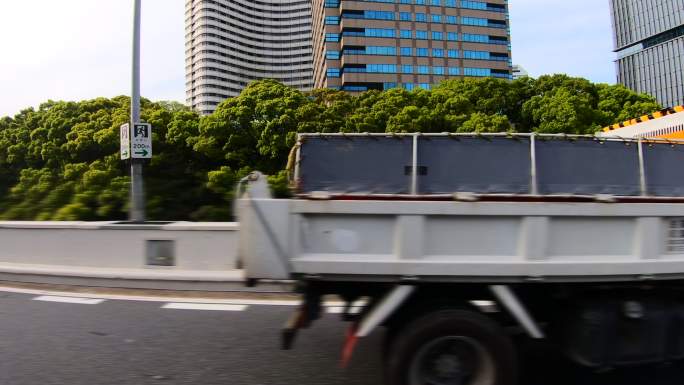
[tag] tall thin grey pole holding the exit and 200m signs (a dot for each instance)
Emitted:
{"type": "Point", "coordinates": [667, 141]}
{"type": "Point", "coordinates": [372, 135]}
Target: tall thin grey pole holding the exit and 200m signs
{"type": "Point", "coordinates": [137, 209]}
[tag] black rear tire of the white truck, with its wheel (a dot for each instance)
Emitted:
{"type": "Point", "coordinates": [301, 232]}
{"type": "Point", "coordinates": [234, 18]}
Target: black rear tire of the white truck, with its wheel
{"type": "Point", "coordinates": [455, 347]}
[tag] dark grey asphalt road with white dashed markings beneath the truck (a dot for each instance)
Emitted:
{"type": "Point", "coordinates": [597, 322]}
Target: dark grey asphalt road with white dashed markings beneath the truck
{"type": "Point", "coordinates": [51, 340]}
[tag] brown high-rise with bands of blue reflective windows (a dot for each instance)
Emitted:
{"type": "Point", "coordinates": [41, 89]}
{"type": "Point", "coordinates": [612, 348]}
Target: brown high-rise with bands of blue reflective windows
{"type": "Point", "coordinates": [380, 44]}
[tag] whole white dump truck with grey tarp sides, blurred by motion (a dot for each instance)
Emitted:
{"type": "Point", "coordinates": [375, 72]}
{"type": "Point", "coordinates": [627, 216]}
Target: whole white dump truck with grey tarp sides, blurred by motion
{"type": "Point", "coordinates": [456, 242]}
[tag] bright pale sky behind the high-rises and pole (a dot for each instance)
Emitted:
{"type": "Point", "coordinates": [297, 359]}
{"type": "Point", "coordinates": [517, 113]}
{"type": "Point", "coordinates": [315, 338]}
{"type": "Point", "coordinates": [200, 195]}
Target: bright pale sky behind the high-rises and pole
{"type": "Point", "coordinates": [80, 49]}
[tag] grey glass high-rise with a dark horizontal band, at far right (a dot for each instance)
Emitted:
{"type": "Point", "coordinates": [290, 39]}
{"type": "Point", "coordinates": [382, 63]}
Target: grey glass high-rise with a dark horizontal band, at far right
{"type": "Point", "coordinates": [649, 42]}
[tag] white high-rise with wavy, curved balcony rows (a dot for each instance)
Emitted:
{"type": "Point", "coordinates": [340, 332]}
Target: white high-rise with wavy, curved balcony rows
{"type": "Point", "coordinates": [230, 43]}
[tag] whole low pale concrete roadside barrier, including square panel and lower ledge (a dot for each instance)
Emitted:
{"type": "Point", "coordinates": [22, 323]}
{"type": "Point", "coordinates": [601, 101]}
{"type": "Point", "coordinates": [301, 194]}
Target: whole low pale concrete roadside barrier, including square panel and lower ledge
{"type": "Point", "coordinates": [179, 251]}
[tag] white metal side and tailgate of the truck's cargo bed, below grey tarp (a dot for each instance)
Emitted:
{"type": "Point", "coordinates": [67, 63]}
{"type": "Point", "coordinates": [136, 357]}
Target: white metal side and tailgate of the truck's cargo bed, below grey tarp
{"type": "Point", "coordinates": [462, 241]}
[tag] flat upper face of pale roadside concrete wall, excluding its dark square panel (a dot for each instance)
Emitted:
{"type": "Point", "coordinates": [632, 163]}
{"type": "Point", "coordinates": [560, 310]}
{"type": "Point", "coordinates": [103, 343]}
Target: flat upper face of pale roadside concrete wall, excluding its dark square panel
{"type": "Point", "coordinates": [107, 245]}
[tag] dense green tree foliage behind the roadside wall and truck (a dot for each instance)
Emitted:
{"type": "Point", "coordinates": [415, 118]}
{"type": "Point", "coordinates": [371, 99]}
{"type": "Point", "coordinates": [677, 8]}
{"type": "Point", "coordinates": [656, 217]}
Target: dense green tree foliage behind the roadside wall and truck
{"type": "Point", "coordinates": [61, 162]}
